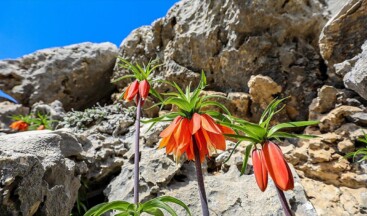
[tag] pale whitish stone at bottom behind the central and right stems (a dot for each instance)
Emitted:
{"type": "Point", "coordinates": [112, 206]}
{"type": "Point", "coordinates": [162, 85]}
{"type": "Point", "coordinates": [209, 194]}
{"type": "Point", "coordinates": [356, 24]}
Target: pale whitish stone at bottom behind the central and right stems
{"type": "Point", "coordinates": [231, 194]}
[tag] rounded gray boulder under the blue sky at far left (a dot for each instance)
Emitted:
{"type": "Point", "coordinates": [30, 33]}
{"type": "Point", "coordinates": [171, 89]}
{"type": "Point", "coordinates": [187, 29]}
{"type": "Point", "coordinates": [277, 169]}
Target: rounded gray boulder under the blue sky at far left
{"type": "Point", "coordinates": [77, 75]}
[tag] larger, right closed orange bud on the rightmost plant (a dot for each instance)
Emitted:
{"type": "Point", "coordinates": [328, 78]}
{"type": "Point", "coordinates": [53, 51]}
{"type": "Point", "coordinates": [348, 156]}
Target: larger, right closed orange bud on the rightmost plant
{"type": "Point", "coordinates": [277, 167]}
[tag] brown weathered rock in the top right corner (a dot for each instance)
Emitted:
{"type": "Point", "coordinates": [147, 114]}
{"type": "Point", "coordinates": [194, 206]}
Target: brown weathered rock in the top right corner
{"type": "Point", "coordinates": [344, 34]}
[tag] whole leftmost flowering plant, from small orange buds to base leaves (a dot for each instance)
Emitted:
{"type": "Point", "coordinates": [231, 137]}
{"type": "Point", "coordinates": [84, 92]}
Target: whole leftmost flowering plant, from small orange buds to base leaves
{"type": "Point", "coordinates": [138, 90]}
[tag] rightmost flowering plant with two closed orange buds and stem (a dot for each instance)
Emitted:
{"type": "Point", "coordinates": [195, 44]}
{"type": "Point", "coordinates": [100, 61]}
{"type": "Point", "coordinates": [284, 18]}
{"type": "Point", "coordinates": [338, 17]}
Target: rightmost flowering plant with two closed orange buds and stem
{"type": "Point", "coordinates": [267, 157]}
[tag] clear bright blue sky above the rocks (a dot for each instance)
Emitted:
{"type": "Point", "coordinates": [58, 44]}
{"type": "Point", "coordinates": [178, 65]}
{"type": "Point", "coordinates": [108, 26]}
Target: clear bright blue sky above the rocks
{"type": "Point", "coordinates": [30, 25]}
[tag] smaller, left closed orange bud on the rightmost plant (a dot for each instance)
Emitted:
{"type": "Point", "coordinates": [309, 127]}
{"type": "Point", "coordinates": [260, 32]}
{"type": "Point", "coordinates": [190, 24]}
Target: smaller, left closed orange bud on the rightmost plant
{"type": "Point", "coordinates": [261, 173]}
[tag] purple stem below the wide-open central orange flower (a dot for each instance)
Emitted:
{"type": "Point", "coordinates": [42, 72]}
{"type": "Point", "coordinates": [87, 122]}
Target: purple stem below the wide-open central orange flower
{"type": "Point", "coordinates": [199, 176]}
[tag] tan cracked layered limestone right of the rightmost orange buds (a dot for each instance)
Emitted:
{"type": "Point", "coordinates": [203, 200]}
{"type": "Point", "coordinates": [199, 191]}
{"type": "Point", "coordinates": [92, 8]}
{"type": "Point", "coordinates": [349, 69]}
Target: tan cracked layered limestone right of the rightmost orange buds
{"type": "Point", "coordinates": [322, 158]}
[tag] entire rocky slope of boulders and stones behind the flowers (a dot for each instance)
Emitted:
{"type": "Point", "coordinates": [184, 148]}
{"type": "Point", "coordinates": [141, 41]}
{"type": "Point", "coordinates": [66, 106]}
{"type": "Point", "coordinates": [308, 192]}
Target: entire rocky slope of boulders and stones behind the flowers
{"type": "Point", "coordinates": [313, 51]}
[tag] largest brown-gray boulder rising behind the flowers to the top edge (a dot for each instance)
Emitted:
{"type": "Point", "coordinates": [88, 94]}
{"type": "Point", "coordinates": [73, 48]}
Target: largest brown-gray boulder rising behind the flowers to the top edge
{"type": "Point", "coordinates": [231, 40]}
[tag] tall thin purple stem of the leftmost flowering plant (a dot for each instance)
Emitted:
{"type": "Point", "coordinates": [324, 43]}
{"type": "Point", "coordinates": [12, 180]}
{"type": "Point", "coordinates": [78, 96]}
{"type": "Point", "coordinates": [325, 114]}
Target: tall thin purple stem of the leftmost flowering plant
{"type": "Point", "coordinates": [137, 155]}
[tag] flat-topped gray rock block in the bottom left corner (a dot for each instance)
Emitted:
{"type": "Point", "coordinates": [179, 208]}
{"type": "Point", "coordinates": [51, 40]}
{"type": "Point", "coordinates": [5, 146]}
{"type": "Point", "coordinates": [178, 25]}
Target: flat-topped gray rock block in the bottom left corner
{"type": "Point", "coordinates": [37, 176]}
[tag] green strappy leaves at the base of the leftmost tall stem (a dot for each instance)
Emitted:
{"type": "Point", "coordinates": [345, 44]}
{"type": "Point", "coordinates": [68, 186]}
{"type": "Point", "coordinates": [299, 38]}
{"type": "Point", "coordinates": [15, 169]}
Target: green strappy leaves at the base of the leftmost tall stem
{"type": "Point", "coordinates": [151, 207]}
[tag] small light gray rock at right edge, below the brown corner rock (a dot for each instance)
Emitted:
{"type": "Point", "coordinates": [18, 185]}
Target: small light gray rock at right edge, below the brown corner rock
{"type": "Point", "coordinates": [356, 78]}
